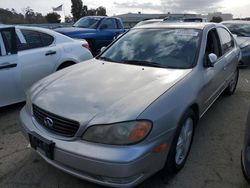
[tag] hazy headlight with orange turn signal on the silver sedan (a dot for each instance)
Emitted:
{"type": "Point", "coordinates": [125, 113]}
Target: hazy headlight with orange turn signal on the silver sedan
{"type": "Point", "coordinates": [124, 133]}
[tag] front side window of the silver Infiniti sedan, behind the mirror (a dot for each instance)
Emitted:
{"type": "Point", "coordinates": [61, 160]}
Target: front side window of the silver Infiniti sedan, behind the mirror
{"type": "Point", "coordinates": [213, 44]}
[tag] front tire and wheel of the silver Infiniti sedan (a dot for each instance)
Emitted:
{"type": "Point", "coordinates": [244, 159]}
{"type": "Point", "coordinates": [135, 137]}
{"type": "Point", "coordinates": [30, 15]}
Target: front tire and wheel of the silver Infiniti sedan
{"type": "Point", "coordinates": [181, 144]}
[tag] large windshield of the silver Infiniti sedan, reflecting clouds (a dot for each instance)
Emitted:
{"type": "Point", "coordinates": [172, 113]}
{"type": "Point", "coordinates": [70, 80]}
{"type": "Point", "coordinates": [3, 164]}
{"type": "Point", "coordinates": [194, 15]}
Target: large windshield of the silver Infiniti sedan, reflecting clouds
{"type": "Point", "coordinates": [166, 48]}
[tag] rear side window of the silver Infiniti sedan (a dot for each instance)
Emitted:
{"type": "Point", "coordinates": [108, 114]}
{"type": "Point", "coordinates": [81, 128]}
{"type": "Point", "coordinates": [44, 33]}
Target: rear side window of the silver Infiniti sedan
{"type": "Point", "coordinates": [227, 41]}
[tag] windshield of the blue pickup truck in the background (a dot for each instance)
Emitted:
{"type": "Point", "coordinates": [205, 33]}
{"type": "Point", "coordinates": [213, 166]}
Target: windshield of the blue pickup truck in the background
{"type": "Point", "coordinates": [87, 22]}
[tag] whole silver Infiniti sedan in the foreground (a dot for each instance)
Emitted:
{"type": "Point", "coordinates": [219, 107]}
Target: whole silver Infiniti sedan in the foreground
{"type": "Point", "coordinates": [135, 109]}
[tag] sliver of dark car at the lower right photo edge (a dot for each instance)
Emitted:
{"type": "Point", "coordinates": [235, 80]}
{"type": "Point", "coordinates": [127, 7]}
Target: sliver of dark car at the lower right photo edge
{"type": "Point", "coordinates": [245, 155]}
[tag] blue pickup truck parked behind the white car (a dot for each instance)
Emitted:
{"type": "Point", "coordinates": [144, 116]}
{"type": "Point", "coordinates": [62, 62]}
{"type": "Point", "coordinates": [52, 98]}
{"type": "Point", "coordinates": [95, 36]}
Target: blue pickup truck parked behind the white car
{"type": "Point", "coordinates": [99, 31]}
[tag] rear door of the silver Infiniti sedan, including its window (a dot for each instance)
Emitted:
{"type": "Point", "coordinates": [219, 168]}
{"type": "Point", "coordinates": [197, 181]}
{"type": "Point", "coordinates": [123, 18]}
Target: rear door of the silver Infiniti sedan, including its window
{"type": "Point", "coordinates": [230, 53]}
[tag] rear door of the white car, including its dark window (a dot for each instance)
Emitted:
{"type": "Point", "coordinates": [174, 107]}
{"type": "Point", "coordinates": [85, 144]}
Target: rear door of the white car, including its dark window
{"type": "Point", "coordinates": [38, 55]}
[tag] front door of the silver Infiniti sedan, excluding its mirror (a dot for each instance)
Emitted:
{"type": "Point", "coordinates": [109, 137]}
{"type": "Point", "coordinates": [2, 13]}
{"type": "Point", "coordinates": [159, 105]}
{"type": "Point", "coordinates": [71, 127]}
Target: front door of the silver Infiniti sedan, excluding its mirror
{"type": "Point", "coordinates": [213, 76]}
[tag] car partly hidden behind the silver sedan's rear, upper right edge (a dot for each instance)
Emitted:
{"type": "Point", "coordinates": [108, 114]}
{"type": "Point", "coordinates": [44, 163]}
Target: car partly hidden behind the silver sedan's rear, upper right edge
{"type": "Point", "coordinates": [242, 30]}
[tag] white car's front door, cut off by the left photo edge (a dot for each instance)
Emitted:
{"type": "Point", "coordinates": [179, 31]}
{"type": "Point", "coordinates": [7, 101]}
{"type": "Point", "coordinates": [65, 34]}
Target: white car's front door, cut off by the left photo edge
{"type": "Point", "coordinates": [10, 90]}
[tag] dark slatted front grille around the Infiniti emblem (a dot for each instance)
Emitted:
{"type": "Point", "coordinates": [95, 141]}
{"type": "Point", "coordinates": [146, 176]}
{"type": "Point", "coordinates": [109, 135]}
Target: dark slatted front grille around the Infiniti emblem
{"type": "Point", "coordinates": [60, 126]}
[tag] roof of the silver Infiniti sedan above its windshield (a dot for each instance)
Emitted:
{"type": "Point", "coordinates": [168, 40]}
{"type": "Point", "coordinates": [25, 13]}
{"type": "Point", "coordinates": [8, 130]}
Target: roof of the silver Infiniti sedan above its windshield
{"type": "Point", "coordinates": [184, 25]}
